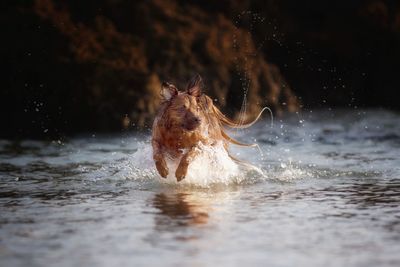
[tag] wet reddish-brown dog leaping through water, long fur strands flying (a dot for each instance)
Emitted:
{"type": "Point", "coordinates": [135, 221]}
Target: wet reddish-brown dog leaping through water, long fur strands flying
{"type": "Point", "coordinates": [184, 120]}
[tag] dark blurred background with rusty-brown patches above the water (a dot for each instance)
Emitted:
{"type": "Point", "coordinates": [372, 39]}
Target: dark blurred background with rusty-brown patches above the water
{"type": "Point", "coordinates": [71, 67]}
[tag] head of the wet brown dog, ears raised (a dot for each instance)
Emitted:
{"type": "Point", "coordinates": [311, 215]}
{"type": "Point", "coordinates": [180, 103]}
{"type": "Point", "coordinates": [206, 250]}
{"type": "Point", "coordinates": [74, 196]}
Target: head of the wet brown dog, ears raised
{"type": "Point", "coordinates": [184, 110]}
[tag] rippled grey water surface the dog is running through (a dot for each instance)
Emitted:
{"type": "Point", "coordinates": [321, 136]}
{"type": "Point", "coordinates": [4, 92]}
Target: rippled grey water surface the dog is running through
{"type": "Point", "coordinates": [328, 194]}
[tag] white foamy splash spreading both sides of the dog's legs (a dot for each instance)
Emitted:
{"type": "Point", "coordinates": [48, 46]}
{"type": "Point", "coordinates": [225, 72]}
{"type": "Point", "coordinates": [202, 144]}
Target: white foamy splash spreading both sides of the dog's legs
{"type": "Point", "coordinates": [212, 166]}
